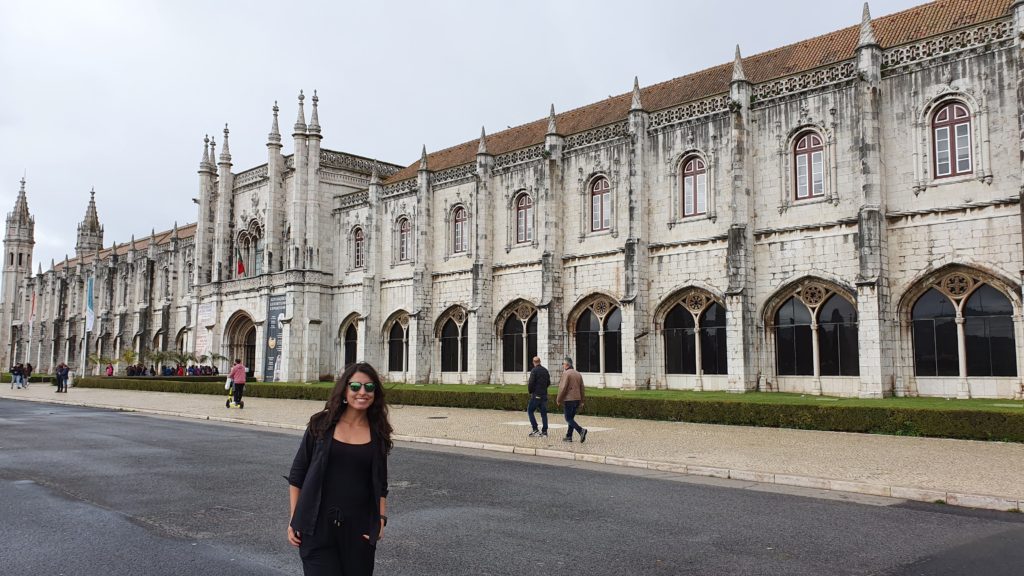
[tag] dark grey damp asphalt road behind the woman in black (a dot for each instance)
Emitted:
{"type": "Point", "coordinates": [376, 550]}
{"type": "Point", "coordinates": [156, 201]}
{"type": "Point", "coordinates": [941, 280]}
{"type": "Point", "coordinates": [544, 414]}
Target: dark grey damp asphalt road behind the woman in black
{"type": "Point", "coordinates": [92, 492]}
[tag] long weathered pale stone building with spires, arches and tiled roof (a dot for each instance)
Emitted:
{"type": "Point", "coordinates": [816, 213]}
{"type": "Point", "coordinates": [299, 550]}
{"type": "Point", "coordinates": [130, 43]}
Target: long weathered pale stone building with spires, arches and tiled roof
{"type": "Point", "coordinates": [776, 225]}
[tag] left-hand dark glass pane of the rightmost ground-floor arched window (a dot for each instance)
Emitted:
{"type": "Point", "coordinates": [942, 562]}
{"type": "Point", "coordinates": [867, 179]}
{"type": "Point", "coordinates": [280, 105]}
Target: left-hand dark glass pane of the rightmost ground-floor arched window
{"type": "Point", "coordinates": [935, 349]}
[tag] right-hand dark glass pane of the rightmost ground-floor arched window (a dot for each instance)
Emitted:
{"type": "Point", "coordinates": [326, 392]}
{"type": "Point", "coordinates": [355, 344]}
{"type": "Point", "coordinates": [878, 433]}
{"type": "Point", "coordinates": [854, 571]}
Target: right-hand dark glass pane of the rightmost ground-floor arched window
{"type": "Point", "coordinates": [989, 328]}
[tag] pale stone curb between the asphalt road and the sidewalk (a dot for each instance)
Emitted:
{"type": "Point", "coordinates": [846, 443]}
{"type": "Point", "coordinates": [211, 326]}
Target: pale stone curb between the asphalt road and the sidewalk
{"type": "Point", "coordinates": [960, 500]}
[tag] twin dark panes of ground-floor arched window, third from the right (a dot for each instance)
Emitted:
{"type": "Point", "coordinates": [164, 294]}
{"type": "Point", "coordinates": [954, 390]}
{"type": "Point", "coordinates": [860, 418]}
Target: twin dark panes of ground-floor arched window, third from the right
{"type": "Point", "coordinates": [681, 330]}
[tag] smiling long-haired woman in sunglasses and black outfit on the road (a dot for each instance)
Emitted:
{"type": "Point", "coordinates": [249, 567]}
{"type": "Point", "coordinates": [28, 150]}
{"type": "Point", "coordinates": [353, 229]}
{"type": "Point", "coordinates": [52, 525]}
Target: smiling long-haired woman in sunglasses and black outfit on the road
{"type": "Point", "coordinates": [338, 482]}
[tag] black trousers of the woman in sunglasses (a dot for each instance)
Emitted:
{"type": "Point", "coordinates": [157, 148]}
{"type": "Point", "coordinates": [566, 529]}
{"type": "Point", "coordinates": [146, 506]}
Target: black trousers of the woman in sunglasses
{"type": "Point", "coordinates": [338, 549]}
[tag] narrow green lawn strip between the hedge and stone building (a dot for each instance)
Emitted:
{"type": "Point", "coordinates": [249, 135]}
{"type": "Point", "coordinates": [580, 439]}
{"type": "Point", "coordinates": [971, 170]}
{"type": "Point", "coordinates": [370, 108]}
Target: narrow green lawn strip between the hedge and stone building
{"type": "Point", "coordinates": [1001, 405]}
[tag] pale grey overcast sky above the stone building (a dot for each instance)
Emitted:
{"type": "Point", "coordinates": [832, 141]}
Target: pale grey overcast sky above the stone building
{"type": "Point", "coordinates": [118, 95]}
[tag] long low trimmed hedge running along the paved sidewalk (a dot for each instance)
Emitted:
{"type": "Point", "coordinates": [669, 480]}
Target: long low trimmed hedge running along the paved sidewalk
{"type": "Point", "coordinates": [967, 425]}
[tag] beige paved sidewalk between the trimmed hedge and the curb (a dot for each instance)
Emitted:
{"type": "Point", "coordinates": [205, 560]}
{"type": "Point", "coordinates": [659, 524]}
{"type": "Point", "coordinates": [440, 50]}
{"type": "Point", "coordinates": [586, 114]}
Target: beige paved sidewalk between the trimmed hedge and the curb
{"type": "Point", "coordinates": [987, 475]}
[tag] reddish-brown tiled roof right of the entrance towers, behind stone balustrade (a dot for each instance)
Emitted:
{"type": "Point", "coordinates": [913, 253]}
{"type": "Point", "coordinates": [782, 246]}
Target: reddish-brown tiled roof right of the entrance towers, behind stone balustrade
{"type": "Point", "coordinates": [910, 26]}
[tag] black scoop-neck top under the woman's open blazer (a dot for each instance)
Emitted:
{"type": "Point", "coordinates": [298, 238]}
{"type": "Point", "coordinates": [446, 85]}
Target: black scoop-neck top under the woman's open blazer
{"type": "Point", "coordinates": [347, 485]}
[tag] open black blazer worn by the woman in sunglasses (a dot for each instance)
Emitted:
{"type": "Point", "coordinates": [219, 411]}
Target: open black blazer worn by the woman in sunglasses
{"type": "Point", "coordinates": [309, 471]}
